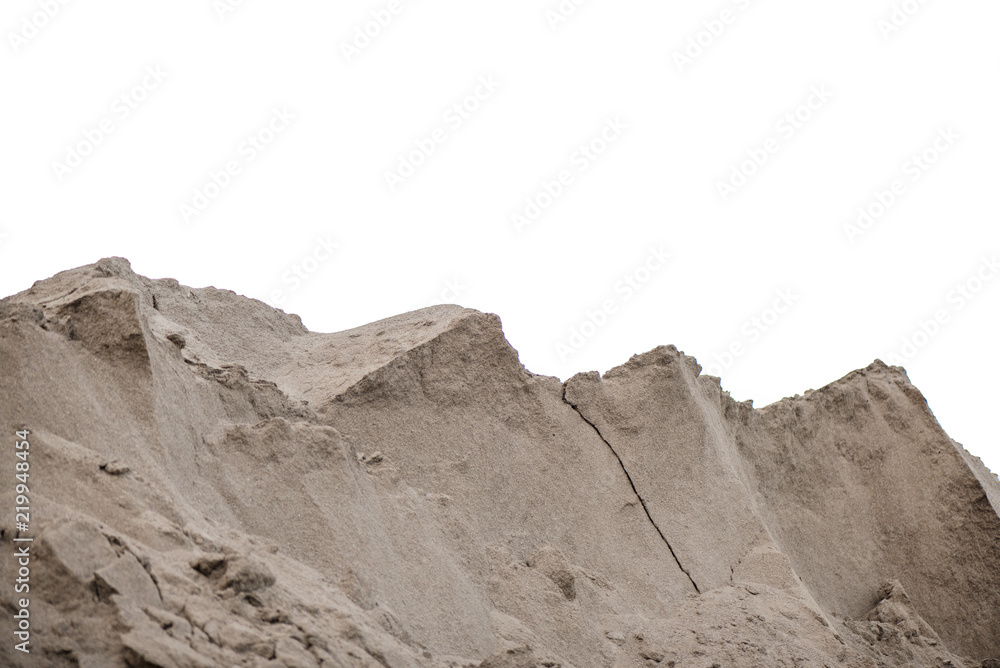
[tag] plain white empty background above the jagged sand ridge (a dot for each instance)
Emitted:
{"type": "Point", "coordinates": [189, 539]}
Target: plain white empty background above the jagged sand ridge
{"type": "Point", "coordinates": [446, 232]}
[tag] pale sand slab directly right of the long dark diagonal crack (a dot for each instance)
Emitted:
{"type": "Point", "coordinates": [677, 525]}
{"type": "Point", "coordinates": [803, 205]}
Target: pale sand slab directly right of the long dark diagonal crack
{"type": "Point", "coordinates": [674, 444]}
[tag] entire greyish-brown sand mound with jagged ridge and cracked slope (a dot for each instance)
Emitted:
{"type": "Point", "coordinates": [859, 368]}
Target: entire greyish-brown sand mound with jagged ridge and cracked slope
{"type": "Point", "coordinates": [214, 485]}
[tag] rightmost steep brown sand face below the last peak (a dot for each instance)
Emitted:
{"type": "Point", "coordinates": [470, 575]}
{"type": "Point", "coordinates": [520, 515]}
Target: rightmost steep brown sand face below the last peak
{"type": "Point", "coordinates": [864, 487]}
